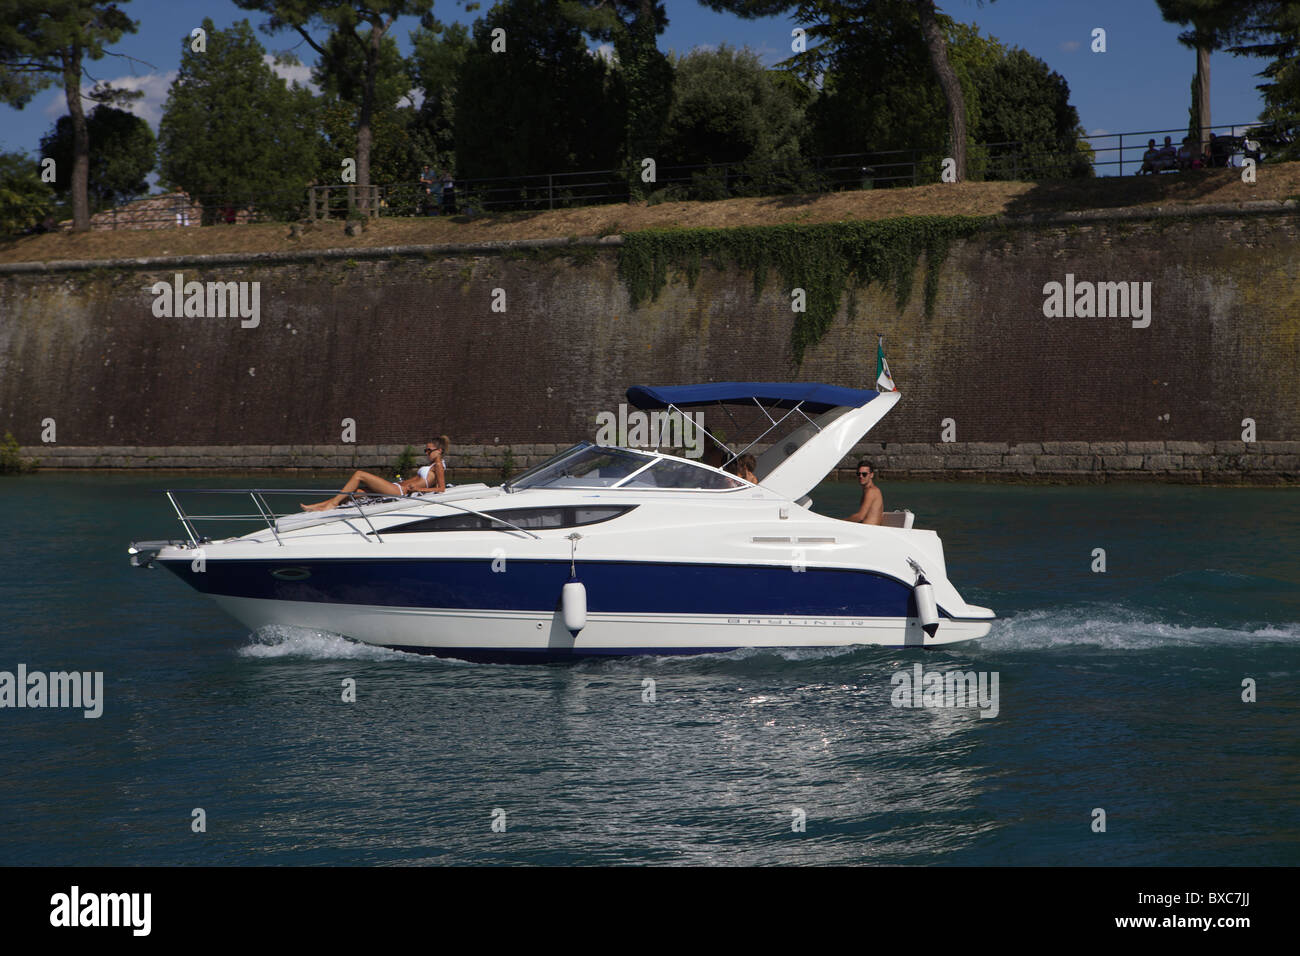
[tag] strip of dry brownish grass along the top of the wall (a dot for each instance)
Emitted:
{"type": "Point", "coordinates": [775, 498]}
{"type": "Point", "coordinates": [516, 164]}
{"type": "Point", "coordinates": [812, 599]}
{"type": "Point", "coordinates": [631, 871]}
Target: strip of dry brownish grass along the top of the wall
{"type": "Point", "coordinates": [937, 200]}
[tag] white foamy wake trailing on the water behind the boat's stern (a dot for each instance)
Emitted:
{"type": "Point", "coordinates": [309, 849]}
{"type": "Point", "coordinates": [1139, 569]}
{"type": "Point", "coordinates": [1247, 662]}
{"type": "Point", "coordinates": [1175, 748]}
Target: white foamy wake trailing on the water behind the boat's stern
{"type": "Point", "coordinates": [1121, 630]}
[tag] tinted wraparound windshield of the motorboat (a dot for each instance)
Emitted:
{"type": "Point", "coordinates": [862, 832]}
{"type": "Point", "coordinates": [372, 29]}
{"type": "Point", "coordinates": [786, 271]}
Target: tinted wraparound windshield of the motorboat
{"type": "Point", "coordinates": [596, 466]}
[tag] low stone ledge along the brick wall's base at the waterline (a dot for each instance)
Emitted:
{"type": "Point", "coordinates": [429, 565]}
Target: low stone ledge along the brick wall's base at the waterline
{"type": "Point", "coordinates": [1264, 462]}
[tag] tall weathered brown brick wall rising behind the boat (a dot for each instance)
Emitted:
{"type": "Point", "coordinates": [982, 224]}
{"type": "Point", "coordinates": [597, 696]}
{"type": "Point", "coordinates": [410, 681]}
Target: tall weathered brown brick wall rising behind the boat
{"type": "Point", "coordinates": [409, 347]}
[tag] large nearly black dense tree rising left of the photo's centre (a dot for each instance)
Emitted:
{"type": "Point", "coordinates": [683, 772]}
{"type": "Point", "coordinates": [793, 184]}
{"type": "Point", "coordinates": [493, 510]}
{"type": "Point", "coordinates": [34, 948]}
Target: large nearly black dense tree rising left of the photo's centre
{"type": "Point", "coordinates": [543, 105]}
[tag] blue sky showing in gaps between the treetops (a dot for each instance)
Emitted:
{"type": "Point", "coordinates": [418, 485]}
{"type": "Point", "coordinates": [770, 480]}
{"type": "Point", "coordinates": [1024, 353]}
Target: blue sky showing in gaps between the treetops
{"type": "Point", "coordinates": [1142, 83]}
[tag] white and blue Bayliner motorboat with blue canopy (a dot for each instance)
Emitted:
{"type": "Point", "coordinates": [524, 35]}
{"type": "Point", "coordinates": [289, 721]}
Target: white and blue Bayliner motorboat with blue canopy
{"type": "Point", "coordinates": [604, 550]}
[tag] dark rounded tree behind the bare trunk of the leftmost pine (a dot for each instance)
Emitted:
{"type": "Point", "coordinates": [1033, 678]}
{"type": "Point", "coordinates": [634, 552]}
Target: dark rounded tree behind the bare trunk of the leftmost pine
{"type": "Point", "coordinates": [123, 154]}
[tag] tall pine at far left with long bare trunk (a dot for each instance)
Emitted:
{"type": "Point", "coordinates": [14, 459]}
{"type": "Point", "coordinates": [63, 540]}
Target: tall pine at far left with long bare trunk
{"type": "Point", "coordinates": [44, 42]}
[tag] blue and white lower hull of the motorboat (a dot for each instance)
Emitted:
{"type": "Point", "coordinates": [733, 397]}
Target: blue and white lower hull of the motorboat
{"type": "Point", "coordinates": [465, 609]}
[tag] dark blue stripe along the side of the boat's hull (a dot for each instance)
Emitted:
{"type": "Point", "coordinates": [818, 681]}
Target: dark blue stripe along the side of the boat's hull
{"type": "Point", "coordinates": [535, 586]}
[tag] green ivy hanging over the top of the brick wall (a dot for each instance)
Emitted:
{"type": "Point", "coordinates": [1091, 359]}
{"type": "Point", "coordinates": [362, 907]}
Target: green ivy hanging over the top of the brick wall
{"type": "Point", "coordinates": [824, 259]}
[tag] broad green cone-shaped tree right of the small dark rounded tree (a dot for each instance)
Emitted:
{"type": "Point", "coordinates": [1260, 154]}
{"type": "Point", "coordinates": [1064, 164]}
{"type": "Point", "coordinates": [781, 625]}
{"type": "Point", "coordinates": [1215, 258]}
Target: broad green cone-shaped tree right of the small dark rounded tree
{"type": "Point", "coordinates": [233, 132]}
